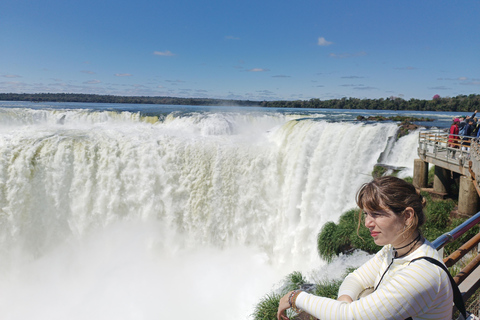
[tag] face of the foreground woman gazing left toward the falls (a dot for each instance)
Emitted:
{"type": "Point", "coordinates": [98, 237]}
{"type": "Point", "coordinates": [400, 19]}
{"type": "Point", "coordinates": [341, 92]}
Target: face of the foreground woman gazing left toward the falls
{"type": "Point", "coordinates": [385, 227]}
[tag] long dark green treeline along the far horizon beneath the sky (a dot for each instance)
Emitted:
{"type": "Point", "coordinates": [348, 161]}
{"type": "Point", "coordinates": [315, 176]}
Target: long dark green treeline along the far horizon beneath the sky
{"type": "Point", "coordinates": [460, 103]}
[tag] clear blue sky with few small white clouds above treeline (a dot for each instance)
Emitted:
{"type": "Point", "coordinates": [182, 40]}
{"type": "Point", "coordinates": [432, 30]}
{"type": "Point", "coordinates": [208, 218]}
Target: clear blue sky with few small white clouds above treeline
{"type": "Point", "coordinates": [256, 50]}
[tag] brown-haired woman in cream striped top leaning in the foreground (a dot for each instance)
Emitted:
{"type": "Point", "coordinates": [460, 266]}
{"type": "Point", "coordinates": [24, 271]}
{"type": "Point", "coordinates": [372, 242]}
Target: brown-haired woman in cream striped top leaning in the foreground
{"type": "Point", "coordinates": [393, 211]}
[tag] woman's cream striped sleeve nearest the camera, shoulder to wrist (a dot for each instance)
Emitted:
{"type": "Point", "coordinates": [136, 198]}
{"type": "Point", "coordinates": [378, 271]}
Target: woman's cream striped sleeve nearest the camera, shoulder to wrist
{"type": "Point", "coordinates": [417, 289]}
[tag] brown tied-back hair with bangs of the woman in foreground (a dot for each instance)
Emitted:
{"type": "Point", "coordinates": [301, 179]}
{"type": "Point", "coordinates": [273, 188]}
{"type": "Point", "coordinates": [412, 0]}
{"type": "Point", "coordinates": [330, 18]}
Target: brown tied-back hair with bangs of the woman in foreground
{"type": "Point", "coordinates": [394, 194]}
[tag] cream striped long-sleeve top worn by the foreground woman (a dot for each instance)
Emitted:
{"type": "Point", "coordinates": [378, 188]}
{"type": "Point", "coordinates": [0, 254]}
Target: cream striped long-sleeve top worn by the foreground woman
{"type": "Point", "coordinates": [420, 290]}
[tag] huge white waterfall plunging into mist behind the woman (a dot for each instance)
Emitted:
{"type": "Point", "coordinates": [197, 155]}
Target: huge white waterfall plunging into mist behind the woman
{"type": "Point", "coordinates": [111, 214]}
